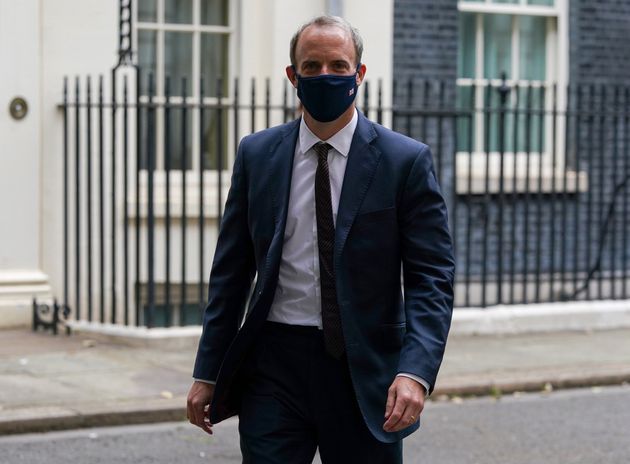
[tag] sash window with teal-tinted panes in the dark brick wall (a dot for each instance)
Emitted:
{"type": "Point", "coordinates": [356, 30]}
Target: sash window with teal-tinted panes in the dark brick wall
{"type": "Point", "coordinates": [515, 38]}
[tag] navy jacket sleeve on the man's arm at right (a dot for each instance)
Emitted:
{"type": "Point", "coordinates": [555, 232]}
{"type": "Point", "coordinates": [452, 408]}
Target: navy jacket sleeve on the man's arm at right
{"type": "Point", "coordinates": [428, 271]}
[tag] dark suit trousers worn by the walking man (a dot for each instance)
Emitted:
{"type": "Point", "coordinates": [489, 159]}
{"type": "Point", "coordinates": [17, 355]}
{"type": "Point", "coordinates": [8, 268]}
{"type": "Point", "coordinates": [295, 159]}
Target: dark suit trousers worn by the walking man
{"type": "Point", "coordinates": [298, 398]}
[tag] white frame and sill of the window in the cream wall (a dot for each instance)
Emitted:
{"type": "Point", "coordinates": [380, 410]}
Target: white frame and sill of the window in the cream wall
{"type": "Point", "coordinates": [213, 179]}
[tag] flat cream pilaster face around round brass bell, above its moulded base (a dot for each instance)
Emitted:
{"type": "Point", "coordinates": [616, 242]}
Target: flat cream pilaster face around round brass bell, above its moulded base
{"type": "Point", "coordinates": [20, 140]}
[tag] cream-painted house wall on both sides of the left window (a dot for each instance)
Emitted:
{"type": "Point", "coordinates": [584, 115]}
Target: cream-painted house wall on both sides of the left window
{"type": "Point", "coordinates": [45, 40]}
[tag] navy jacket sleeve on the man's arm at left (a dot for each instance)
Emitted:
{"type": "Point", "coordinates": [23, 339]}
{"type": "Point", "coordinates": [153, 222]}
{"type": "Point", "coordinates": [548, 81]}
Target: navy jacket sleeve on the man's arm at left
{"type": "Point", "coordinates": [231, 277]}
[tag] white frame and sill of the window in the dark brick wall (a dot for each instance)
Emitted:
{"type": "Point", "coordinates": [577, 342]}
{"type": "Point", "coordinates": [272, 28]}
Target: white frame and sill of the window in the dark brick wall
{"type": "Point", "coordinates": [556, 72]}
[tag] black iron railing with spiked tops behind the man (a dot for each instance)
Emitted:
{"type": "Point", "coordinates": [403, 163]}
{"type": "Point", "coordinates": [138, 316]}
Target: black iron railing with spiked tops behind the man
{"type": "Point", "coordinates": [536, 179]}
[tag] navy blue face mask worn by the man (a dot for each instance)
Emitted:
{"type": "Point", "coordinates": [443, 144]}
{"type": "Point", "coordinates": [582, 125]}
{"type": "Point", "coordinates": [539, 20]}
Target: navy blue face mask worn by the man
{"type": "Point", "coordinates": [327, 96]}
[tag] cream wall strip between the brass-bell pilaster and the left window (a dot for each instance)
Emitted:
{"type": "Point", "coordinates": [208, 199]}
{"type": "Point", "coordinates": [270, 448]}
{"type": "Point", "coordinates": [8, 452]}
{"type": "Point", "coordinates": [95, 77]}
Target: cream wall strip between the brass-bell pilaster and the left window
{"type": "Point", "coordinates": [79, 38]}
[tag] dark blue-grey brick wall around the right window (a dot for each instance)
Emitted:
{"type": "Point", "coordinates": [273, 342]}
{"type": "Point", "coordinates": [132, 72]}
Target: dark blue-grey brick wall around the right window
{"type": "Point", "coordinates": [564, 232]}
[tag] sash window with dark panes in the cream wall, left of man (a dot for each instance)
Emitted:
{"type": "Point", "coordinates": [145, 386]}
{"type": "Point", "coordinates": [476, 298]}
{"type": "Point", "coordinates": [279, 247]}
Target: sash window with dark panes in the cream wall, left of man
{"type": "Point", "coordinates": [185, 46]}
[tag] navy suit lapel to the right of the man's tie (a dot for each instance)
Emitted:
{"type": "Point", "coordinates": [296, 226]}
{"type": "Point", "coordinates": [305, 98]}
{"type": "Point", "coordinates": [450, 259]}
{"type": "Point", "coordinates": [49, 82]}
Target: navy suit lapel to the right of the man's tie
{"type": "Point", "coordinates": [362, 161]}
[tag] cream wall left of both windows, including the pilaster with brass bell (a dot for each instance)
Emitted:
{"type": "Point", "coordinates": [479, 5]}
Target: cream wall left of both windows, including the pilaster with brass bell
{"type": "Point", "coordinates": [41, 40]}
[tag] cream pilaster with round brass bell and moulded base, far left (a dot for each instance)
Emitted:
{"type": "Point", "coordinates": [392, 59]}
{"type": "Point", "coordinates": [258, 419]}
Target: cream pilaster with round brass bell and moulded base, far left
{"type": "Point", "coordinates": [21, 278]}
